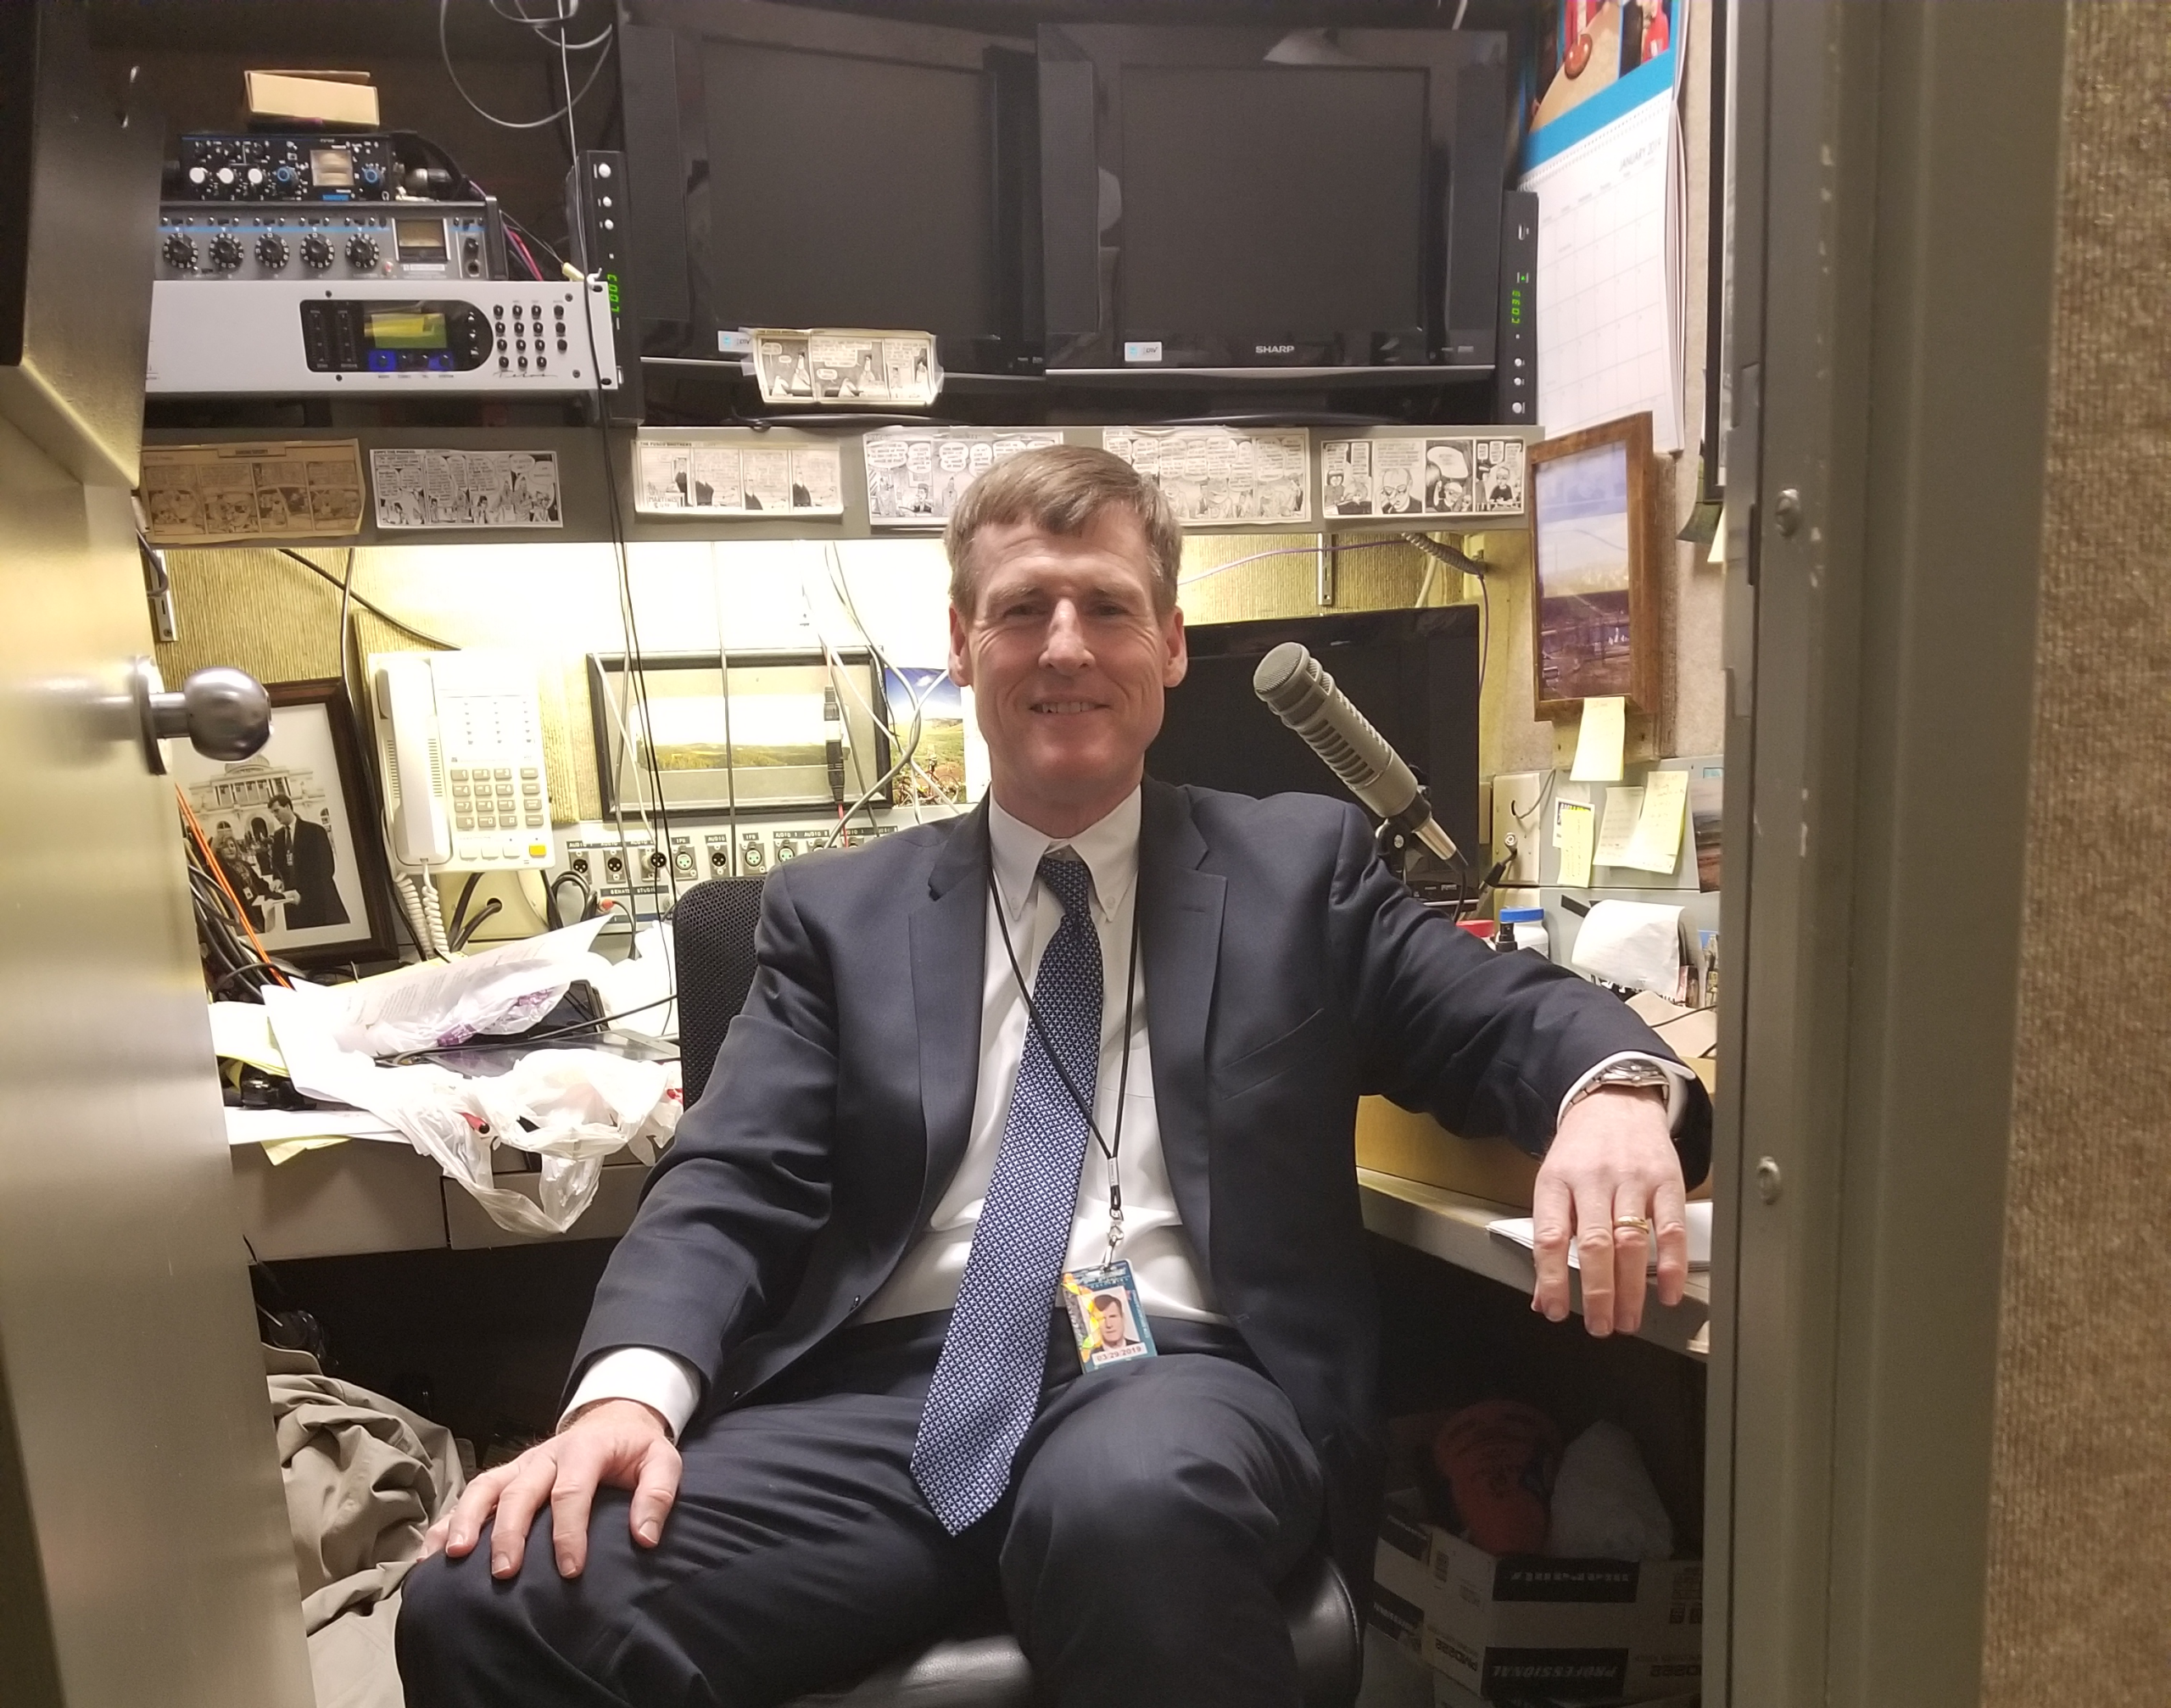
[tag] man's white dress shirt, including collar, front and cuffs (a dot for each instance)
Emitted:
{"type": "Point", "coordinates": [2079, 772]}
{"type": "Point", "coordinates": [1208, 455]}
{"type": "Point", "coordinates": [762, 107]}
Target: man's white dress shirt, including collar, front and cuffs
{"type": "Point", "coordinates": [1171, 1282]}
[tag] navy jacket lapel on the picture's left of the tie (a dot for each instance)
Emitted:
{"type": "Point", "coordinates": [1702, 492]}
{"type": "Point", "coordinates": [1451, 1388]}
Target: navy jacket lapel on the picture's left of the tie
{"type": "Point", "coordinates": [950, 943]}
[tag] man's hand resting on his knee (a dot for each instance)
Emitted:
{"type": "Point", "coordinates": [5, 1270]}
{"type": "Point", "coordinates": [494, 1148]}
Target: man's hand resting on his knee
{"type": "Point", "coordinates": [618, 1444]}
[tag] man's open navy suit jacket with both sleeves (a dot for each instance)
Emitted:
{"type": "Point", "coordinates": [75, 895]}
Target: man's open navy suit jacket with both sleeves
{"type": "Point", "coordinates": [1288, 973]}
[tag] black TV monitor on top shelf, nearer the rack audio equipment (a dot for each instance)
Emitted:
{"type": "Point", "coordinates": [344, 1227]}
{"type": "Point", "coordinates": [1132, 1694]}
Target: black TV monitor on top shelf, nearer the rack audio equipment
{"type": "Point", "coordinates": [809, 168]}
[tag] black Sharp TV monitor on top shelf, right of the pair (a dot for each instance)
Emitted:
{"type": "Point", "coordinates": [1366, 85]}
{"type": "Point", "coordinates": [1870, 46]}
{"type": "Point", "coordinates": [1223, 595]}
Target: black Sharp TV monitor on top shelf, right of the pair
{"type": "Point", "coordinates": [1241, 199]}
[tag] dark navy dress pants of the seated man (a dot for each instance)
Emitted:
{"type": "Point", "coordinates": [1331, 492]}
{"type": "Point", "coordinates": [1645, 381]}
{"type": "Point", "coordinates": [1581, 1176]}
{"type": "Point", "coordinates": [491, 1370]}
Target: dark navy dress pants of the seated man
{"type": "Point", "coordinates": [1152, 1512]}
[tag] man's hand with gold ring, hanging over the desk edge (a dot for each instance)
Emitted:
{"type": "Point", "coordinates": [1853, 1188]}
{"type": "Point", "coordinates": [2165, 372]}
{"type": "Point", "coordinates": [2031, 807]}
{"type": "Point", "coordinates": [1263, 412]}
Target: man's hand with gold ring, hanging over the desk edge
{"type": "Point", "coordinates": [1612, 1164]}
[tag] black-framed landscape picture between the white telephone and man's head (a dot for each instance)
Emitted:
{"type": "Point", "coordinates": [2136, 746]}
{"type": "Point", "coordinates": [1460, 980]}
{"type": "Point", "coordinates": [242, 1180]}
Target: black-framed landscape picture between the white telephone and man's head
{"type": "Point", "coordinates": [763, 732]}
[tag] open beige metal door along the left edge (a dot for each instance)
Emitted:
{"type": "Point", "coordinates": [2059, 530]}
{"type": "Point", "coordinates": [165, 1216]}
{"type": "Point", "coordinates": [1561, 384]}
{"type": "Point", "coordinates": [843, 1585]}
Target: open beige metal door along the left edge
{"type": "Point", "coordinates": [144, 1555]}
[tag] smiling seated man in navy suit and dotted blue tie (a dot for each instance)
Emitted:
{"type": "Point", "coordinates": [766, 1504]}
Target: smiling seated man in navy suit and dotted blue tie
{"type": "Point", "coordinates": [828, 1401]}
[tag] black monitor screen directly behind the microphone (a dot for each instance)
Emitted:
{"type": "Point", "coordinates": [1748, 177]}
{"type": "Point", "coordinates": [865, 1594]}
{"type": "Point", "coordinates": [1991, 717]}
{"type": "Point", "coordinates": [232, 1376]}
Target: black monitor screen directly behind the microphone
{"type": "Point", "coordinates": [1414, 674]}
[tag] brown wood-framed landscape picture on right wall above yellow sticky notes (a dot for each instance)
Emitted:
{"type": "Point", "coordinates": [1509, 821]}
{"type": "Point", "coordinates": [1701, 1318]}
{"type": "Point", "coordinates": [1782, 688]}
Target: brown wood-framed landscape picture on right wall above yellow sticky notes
{"type": "Point", "coordinates": [1595, 613]}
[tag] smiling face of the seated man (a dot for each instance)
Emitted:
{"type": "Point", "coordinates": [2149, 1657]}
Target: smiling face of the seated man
{"type": "Point", "coordinates": [1069, 663]}
